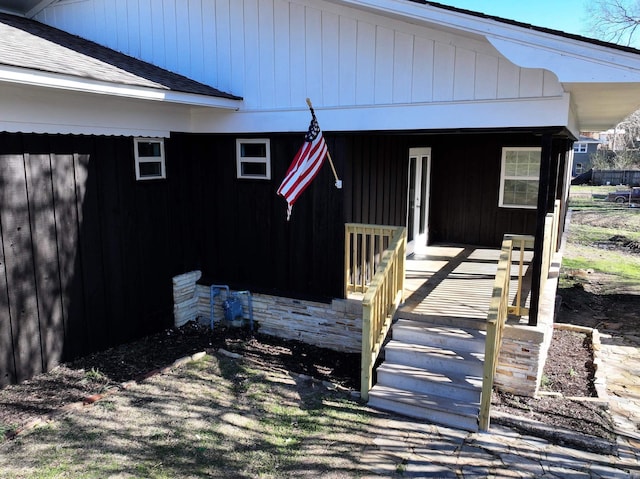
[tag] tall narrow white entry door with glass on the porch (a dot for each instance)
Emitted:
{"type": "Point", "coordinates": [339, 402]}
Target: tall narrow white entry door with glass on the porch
{"type": "Point", "coordinates": [418, 199]}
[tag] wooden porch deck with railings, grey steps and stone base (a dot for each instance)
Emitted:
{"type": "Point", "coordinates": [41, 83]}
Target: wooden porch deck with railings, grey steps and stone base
{"type": "Point", "coordinates": [444, 325]}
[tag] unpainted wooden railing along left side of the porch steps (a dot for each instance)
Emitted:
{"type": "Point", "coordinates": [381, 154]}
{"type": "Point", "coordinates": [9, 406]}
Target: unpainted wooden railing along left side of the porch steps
{"type": "Point", "coordinates": [375, 266]}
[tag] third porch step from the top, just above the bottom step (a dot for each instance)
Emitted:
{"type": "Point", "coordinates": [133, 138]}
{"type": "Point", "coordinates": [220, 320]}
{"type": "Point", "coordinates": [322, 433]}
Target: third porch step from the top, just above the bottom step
{"type": "Point", "coordinates": [452, 385]}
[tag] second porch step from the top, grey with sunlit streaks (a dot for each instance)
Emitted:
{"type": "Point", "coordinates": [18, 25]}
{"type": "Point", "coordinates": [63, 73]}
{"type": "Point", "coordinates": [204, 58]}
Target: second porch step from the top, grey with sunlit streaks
{"type": "Point", "coordinates": [434, 358]}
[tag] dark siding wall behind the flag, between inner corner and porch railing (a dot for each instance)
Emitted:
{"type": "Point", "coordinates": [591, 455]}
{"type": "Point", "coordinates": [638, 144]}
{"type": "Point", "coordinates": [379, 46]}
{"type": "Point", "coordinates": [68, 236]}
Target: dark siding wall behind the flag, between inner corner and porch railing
{"type": "Point", "coordinates": [236, 229]}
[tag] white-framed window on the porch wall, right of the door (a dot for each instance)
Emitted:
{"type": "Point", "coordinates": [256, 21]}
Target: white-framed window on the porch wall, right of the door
{"type": "Point", "coordinates": [520, 177]}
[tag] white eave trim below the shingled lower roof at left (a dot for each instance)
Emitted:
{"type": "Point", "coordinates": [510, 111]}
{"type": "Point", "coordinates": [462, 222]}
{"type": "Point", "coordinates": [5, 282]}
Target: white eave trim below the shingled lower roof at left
{"type": "Point", "coordinates": [67, 82]}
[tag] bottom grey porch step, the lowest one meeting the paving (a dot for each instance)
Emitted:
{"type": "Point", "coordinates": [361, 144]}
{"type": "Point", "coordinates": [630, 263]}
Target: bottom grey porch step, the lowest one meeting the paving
{"type": "Point", "coordinates": [437, 409]}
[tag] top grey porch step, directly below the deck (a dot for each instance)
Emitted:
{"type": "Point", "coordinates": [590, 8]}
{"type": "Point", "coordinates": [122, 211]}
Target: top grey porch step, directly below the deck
{"type": "Point", "coordinates": [446, 337]}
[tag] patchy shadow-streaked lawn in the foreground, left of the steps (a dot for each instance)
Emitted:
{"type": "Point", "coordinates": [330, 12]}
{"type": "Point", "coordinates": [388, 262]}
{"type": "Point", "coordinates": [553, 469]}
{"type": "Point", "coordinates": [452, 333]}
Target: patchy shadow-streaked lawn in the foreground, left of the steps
{"type": "Point", "coordinates": [217, 417]}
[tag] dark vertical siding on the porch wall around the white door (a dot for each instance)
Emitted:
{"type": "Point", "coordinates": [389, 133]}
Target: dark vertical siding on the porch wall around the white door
{"type": "Point", "coordinates": [465, 183]}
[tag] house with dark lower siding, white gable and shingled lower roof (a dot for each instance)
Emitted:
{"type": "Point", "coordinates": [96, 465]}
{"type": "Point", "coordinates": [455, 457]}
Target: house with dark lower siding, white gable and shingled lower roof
{"type": "Point", "coordinates": [138, 143]}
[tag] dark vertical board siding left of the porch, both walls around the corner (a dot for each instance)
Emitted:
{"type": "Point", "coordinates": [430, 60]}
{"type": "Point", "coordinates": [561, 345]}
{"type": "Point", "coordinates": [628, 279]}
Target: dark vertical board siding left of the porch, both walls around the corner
{"type": "Point", "coordinates": [87, 253]}
